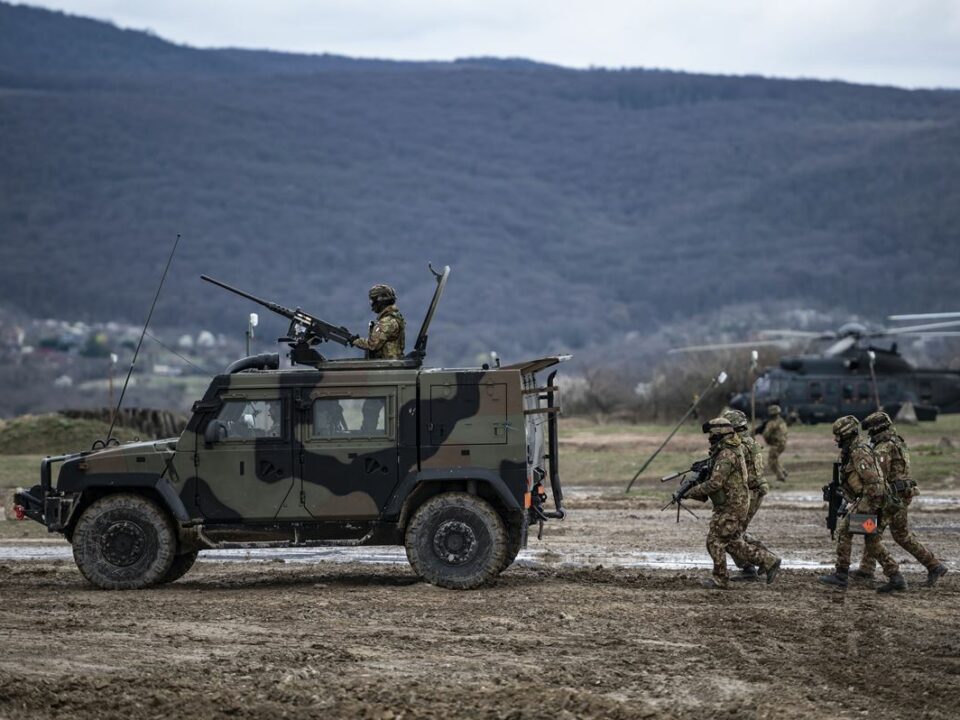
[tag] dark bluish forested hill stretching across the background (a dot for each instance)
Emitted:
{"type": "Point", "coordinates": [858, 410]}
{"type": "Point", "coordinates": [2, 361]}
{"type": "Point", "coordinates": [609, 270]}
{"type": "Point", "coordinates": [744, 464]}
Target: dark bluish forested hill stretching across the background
{"type": "Point", "coordinates": [576, 207]}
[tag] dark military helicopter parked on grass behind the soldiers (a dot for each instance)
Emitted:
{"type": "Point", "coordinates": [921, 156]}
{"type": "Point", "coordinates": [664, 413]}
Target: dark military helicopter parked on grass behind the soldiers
{"type": "Point", "coordinates": [851, 376]}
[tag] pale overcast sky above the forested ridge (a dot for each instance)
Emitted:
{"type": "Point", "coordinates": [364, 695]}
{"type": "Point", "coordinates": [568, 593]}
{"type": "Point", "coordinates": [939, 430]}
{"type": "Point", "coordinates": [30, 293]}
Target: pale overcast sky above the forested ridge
{"type": "Point", "coordinates": [911, 43]}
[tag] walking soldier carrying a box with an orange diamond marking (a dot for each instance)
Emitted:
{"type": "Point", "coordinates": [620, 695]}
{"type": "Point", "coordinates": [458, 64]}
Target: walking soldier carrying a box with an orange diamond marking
{"type": "Point", "coordinates": [863, 487]}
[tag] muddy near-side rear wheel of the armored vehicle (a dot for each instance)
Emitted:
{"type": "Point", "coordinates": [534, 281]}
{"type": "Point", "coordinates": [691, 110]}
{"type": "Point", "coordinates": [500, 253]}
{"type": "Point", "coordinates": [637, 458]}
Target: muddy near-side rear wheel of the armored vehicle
{"type": "Point", "coordinates": [456, 540]}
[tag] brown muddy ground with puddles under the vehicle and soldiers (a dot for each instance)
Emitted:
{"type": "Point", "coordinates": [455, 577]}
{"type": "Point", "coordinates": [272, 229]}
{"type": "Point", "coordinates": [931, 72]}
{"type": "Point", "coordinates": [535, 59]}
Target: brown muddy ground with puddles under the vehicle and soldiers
{"type": "Point", "coordinates": [602, 619]}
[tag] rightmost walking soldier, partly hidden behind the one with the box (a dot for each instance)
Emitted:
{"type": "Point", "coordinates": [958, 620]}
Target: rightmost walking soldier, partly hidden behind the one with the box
{"type": "Point", "coordinates": [894, 460]}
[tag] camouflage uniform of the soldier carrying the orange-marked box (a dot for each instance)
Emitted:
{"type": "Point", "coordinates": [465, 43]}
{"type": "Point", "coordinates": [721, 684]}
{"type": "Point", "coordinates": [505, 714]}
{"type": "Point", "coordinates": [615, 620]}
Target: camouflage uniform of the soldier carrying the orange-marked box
{"type": "Point", "coordinates": [862, 484]}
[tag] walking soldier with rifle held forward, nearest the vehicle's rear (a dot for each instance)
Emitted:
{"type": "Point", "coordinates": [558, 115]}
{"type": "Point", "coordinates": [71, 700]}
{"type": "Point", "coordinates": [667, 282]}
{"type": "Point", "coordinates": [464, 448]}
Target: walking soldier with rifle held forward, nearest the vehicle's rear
{"type": "Point", "coordinates": [726, 488]}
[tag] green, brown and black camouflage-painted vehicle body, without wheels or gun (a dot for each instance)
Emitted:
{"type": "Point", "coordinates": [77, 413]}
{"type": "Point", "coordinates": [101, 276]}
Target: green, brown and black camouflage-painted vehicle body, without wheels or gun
{"type": "Point", "coordinates": [450, 425]}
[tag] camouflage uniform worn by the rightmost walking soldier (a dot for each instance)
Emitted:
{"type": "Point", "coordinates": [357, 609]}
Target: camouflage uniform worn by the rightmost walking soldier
{"type": "Point", "coordinates": [894, 461]}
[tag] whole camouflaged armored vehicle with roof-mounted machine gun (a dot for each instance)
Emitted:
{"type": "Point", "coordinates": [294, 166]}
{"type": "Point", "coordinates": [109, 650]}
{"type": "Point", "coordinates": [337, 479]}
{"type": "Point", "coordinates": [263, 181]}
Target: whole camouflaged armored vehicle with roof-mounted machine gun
{"type": "Point", "coordinates": [451, 463]}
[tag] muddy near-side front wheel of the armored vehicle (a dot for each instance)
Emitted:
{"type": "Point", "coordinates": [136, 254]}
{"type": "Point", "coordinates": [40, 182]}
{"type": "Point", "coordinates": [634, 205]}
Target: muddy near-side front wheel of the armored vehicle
{"type": "Point", "coordinates": [124, 542]}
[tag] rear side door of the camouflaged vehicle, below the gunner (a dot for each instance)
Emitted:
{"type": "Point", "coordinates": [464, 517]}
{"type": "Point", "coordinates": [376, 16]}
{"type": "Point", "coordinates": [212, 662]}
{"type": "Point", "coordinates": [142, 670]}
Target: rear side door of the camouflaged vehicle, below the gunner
{"type": "Point", "coordinates": [348, 450]}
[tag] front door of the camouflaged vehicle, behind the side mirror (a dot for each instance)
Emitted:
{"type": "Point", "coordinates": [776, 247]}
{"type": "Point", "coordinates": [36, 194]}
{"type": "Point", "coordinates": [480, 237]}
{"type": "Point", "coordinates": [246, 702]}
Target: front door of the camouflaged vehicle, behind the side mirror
{"type": "Point", "coordinates": [245, 461]}
